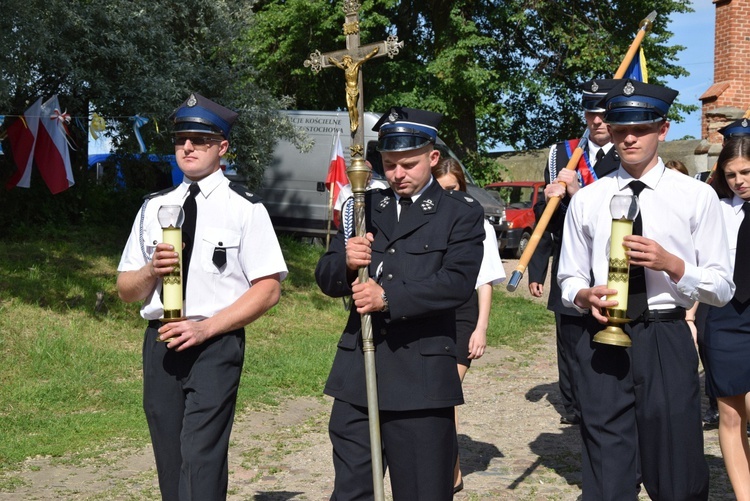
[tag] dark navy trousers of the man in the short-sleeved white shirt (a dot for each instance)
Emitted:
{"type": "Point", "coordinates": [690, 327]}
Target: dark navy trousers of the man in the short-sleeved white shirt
{"type": "Point", "coordinates": [189, 399]}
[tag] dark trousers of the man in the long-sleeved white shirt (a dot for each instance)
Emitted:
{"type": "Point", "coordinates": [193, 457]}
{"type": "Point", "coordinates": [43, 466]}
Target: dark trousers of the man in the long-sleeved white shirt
{"type": "Point", "coordinates": [642, 403]}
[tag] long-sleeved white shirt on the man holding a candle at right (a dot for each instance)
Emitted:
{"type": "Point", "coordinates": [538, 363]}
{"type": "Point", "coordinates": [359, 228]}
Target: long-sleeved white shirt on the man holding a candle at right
{"type": "Point", "coordinates": [680, 213]}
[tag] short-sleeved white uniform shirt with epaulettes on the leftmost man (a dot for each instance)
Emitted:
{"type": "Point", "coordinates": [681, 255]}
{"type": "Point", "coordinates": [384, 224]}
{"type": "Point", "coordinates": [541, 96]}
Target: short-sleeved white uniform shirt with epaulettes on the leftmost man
{"type": "Point", "coordinates": [224, 219]}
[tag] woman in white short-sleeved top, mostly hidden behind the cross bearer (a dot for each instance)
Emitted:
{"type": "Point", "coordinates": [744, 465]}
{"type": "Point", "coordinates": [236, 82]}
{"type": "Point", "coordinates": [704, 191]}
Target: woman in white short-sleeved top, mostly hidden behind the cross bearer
{"type": "Point", "coordinates": [472, 319]}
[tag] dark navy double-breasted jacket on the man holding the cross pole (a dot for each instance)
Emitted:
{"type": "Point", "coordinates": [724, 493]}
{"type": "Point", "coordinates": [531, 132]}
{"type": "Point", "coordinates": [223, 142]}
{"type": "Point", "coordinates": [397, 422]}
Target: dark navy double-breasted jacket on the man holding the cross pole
{"type": "Point", "coordinates": [430, 262]}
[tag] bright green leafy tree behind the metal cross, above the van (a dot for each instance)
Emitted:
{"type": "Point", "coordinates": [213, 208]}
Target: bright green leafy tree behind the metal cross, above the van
{"type": "Point", "coordinates": [502, 72]}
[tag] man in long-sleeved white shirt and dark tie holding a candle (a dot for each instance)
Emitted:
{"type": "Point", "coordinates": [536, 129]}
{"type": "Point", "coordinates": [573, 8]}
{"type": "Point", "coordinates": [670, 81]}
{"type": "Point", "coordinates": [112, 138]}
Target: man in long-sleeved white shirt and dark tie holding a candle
{"type": "Point", "coordinates": [640, 406]}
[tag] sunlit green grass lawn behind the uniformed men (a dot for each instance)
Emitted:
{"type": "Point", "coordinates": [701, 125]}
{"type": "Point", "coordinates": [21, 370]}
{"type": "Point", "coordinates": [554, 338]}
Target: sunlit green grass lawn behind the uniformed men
{"type": "Point", "coordinates": [70, 376]}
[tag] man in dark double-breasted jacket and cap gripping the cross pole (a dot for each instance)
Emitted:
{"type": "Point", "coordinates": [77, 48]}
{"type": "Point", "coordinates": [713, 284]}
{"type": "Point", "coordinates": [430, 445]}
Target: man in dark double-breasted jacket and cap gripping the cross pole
{"type": "Point", "coordinates": [423, 249]}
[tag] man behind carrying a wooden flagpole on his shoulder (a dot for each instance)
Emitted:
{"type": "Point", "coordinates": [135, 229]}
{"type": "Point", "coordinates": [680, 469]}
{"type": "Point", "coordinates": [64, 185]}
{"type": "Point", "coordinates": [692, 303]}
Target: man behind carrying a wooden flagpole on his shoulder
{"type": "Point", "coordinates": [599, 159]}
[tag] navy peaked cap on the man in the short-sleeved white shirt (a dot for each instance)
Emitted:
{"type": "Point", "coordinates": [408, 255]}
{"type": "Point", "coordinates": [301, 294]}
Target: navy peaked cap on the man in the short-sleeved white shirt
{"type": "Point", "coordinates": [200, 114]}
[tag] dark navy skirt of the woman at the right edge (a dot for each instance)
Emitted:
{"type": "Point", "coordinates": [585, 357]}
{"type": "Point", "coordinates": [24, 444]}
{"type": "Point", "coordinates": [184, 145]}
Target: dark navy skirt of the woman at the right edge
{"type": "Point", "coordinates": [726, 346]}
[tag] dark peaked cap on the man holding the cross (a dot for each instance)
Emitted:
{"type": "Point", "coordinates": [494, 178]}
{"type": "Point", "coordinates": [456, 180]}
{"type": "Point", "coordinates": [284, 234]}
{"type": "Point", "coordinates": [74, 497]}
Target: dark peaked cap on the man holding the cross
{"type": "Point", "coordinates": [404, 129]}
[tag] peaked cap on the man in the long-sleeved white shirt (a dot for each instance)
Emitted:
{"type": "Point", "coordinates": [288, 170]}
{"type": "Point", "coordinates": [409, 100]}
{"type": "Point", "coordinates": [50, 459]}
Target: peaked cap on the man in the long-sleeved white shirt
{"type": "Point", "coordinates": [631, 102]}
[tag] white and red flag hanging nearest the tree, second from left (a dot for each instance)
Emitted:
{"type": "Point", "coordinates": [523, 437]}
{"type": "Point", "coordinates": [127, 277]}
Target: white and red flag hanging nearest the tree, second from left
{"type": "Point", "coordinates": [51, 153]}
